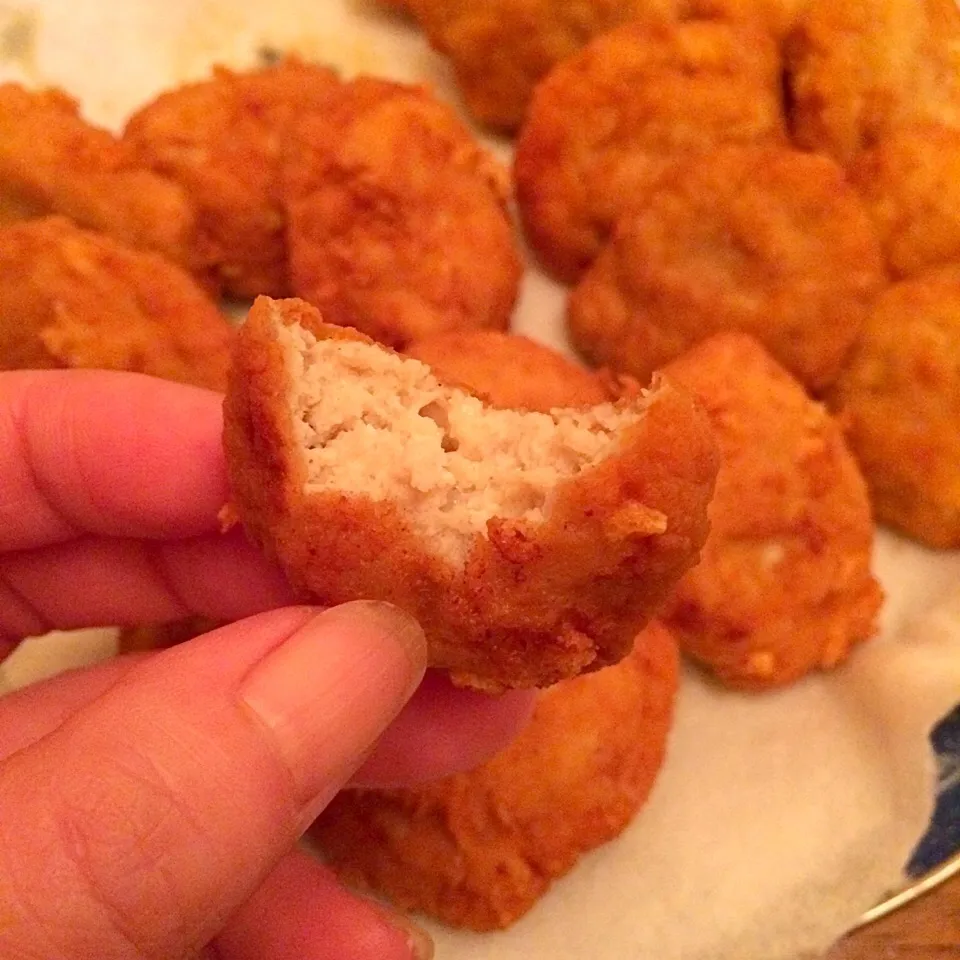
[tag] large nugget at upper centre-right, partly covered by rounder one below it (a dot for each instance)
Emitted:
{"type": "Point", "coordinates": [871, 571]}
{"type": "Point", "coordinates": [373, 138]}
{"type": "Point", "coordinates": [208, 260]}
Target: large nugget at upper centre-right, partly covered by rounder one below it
{"type": "Point", "coordinates": [605, 123]}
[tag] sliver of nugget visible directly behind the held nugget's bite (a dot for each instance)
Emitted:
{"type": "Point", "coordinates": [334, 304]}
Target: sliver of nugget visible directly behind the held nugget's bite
{"type": "Point", "coordinates": [509, 370]}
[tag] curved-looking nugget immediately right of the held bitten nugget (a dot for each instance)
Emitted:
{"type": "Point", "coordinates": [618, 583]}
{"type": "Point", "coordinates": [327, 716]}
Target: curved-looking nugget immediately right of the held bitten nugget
{"type": "Point", "coordinates": [784, 583]}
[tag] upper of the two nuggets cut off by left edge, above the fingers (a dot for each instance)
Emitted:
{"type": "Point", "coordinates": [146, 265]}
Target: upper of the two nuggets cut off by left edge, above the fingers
{"type": "Point", "coordinates": [54, 162]}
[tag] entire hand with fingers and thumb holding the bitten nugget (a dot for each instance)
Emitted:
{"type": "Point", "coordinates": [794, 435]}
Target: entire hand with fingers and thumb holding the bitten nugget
{"type": "Point", "coordinates": [150, 806]}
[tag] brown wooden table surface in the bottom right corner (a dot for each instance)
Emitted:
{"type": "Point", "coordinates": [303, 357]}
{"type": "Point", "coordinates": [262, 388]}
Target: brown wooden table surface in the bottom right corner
{"type": "Point", "coordinates": [928, 929]}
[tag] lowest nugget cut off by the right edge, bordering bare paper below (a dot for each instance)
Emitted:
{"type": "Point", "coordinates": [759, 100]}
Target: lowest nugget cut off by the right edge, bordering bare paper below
{"type": "Point", "coordinates": [899, 398]}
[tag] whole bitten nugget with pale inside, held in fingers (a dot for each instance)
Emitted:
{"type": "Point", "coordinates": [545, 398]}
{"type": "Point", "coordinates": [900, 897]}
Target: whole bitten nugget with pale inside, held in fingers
{"type": "Point", "coordinates": [530, 546]}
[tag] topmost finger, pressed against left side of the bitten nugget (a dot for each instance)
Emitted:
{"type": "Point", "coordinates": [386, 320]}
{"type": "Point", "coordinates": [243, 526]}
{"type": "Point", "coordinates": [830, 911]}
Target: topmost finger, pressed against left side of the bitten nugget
{"type": "Point", "coordinates": [107, 453]}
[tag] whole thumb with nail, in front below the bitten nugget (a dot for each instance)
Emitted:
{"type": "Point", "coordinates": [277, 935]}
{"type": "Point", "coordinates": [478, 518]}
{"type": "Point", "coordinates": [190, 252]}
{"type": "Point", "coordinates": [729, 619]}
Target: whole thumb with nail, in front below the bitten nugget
{"type": "Point", "coordinates": [137, 827]}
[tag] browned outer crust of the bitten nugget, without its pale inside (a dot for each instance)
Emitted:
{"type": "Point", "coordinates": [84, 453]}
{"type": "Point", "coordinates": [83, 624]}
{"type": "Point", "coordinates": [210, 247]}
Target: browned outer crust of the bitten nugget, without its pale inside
{"type": "Point", "coordinates": [532, 604]}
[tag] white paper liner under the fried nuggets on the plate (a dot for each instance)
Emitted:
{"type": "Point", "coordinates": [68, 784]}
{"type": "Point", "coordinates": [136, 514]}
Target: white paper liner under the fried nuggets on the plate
{"type": "Point", "coordinates": [777, 819]}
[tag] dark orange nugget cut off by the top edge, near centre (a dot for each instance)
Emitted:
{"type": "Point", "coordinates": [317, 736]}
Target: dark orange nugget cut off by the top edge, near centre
{"type": "Point", "coordinates": [500, 49]}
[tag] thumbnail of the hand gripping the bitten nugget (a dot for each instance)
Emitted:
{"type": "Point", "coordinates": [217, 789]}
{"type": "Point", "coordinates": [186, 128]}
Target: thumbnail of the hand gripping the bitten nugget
{"type": "Point", "coordinates": [327, 693]}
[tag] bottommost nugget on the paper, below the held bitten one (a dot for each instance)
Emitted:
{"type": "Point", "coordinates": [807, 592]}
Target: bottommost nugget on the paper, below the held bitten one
{"type": "Point", "coordinates": [479, 849]}
